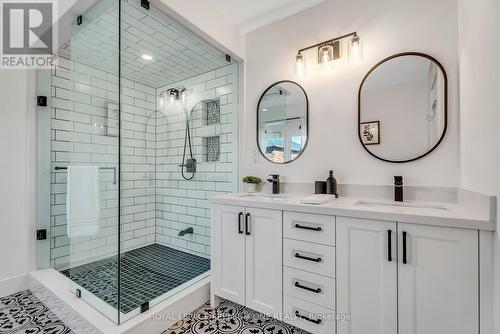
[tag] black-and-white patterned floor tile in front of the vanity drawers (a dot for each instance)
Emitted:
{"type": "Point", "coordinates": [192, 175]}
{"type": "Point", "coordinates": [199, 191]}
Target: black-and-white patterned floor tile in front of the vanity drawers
{"type": "Point", "coordinates": [230, 318]}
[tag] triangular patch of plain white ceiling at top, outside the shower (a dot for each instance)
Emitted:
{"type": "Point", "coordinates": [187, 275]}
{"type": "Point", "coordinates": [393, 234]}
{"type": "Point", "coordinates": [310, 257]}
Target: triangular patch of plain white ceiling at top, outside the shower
{"type": "Point", "coordinates": [249, 15]}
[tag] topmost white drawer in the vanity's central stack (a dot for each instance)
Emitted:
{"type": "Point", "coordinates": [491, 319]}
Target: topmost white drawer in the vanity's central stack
{"type": "Point", "coordinates": [319, 229]}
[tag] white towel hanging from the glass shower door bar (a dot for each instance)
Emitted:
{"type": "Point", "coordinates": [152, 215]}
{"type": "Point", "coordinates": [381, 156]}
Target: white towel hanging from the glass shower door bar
{"type": "Point", "coordinates": [82, 201]}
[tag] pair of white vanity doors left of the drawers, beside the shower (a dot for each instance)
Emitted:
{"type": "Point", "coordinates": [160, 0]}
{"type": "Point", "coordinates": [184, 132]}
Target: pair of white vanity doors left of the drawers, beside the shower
{"type": "Point", "coordinates": [247, 257]}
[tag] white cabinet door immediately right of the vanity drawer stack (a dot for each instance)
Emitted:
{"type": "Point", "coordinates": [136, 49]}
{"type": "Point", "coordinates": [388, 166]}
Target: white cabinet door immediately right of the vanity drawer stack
{"type": "Point", "coordinates": [366, 276]}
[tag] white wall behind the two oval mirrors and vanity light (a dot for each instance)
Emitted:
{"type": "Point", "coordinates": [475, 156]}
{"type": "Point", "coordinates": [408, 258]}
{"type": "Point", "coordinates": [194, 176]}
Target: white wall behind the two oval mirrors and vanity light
{"type": "Point", "coordinates": [386, 27]}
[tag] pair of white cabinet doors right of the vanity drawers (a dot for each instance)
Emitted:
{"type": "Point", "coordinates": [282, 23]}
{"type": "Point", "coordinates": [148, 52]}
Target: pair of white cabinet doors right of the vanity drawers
{"type": "Point", "coordinates": [424, 278]}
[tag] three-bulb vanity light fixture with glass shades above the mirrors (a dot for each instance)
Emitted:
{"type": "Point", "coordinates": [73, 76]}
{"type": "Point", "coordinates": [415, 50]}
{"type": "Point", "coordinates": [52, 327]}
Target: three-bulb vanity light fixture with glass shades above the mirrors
{"type": "Point", "coordinates": [328, 52]}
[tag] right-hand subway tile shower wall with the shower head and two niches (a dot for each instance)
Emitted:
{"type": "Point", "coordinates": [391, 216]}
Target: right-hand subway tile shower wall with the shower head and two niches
{"type": "Point", "coordinates": [180, 203]}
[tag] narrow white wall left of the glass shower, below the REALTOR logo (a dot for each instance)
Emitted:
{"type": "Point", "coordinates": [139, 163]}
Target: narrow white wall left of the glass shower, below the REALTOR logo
{"type": "Point", "coordinates": [16, 167]}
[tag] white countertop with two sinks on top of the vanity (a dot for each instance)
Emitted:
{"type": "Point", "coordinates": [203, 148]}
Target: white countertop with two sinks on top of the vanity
{"type": "Point", "coordinates": [440, 214]}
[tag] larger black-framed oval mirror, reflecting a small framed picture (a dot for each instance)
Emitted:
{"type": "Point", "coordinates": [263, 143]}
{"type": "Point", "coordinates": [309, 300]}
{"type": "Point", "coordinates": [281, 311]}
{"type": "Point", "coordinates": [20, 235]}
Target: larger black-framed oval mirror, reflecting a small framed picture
{"type": "Point", "coordinates": [403, 107]}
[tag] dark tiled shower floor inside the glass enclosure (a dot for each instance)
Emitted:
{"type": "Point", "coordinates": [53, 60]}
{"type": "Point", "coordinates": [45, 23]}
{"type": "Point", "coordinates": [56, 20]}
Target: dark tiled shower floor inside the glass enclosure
{"type": "Point", "coordinates": [146, 273]}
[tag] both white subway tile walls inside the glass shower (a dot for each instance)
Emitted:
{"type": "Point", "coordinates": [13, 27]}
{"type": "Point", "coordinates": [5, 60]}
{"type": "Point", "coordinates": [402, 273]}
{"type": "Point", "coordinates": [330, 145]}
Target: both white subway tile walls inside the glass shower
{"type": "Point", "coordinates": [156, 202]}
